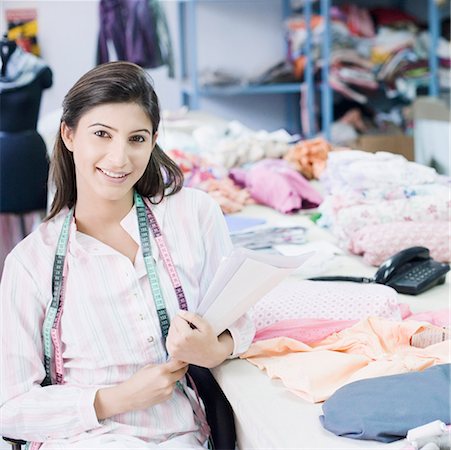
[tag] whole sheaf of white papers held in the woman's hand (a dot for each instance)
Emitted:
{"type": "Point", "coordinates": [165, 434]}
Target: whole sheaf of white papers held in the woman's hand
{"type": "Point", "coordinates": [241, 280]}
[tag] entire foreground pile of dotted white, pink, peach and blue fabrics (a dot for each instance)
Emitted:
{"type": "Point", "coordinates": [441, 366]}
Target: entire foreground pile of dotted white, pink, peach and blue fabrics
{"type": "Point", "coordinates": [361, 352]}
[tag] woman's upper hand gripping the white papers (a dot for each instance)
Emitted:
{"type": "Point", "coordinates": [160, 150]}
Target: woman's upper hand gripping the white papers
{"type": "Point", "coordinates": [192, 339]}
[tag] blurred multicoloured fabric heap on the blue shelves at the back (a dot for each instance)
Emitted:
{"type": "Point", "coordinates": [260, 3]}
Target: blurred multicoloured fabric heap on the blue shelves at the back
{"type": "Point", "coordinates": [371, 49]}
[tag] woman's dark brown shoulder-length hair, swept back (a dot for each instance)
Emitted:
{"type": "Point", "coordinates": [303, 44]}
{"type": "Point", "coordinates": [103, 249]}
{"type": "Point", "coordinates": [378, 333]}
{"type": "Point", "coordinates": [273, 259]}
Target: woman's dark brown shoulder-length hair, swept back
{"type": "Point", "coordinates": [114, 82]}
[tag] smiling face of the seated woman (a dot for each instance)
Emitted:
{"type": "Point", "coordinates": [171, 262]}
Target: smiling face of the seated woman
{"type": "Point", "coordinates": [111, 145]}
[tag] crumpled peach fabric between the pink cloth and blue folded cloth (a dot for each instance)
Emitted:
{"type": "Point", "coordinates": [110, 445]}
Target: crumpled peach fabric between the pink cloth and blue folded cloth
{"type": "Point", "coordinates": [371, 348]}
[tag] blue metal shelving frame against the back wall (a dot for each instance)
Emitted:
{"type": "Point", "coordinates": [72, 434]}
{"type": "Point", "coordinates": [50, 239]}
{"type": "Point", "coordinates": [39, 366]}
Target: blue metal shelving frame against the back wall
{"type": "Point", "coordinates": [192, 92]}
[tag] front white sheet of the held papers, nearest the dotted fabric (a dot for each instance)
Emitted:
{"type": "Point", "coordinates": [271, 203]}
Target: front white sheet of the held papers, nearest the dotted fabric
{"type": "Point", "coordinates": [253, 280]}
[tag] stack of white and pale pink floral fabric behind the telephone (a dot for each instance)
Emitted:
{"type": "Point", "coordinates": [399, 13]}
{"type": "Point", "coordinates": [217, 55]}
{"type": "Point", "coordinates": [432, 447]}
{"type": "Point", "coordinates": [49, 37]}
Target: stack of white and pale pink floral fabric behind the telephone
{"type": "Point", "coordinates": [379, 204]}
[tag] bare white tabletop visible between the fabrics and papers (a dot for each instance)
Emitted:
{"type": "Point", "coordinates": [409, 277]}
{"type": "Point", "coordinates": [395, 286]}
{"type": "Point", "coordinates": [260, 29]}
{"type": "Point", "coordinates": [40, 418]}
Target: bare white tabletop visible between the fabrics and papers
{"type": "Point", "coordinates": [267, 415]}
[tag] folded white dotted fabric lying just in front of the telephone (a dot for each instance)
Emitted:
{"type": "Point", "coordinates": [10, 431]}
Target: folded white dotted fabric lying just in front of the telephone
{"type": "Point", "coordinates": [338, 300]}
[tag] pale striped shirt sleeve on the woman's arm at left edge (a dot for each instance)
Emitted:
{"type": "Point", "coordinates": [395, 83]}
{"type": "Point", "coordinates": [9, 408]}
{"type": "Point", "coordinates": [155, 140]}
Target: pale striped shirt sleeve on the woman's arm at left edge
{"type": "Point", "coordinates": [29, 411]}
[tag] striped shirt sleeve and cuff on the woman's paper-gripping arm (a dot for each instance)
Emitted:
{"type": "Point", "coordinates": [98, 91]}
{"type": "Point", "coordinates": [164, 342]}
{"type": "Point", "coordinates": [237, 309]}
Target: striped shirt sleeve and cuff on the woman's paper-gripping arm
{"type": "Point", "coordinates": [218, 245]}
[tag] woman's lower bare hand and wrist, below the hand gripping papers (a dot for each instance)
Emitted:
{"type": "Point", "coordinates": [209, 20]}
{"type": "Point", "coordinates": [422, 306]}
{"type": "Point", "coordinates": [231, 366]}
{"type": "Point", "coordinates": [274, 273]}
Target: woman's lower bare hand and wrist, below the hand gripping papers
{"type": "Point", "coordinates": [150, 385]}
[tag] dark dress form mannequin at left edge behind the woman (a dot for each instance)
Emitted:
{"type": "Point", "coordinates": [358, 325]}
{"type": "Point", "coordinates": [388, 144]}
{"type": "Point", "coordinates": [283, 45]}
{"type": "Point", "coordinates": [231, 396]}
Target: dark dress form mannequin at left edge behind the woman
{"type": "Point", "coordinates": [23, 154]}
